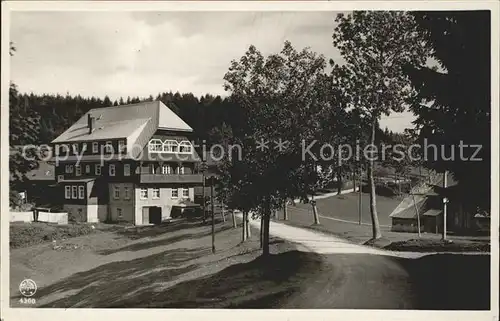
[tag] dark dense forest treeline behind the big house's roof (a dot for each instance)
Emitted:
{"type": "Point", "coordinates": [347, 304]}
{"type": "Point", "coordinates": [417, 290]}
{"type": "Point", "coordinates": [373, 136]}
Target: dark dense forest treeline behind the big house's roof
{"type": "Point", "coordinates": [52, 114]}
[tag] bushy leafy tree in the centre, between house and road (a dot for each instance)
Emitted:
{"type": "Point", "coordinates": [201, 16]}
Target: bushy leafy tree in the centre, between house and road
{"type": "Point", "coordinates": [283, 98]}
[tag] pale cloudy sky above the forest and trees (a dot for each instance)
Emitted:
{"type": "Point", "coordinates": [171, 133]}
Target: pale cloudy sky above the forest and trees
{"type": "Point", "coordinates": [122, 54]}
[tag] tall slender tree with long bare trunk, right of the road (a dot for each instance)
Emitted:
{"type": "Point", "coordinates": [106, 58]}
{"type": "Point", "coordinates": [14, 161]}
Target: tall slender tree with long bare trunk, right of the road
{"type": "Point", "coordinates": [375, 46]}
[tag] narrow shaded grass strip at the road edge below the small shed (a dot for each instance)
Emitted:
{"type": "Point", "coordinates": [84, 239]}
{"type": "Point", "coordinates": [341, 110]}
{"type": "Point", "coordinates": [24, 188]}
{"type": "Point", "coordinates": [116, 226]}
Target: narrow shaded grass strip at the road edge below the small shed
{"type": "Point", "coordinates": [433, 245]}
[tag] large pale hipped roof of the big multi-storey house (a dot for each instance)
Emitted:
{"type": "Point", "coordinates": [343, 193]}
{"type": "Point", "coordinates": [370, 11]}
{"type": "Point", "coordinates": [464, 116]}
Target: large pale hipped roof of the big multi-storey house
{"type": "Point", "coordinates": [123, 122]}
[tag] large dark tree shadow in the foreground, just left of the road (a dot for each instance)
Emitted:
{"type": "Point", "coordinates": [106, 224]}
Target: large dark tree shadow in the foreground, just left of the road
{"type": "Point", "coordinates": [261, 283]}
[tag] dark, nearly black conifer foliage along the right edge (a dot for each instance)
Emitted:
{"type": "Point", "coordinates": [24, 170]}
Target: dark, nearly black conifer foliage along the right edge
{"type": "Point", "coordinates": [457, 99]}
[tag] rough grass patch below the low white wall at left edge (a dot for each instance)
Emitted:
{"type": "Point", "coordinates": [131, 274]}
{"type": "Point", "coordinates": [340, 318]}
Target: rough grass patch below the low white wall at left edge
{"type": "Point", "coordinates": [27, 234]}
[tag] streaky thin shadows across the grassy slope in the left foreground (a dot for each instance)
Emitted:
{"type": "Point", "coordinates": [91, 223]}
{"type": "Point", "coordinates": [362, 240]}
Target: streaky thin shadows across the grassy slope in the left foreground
{"type": "Point", "coordinates": [104, 285]}
